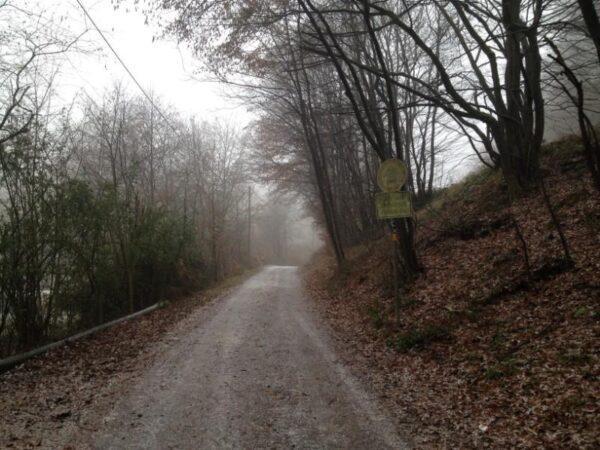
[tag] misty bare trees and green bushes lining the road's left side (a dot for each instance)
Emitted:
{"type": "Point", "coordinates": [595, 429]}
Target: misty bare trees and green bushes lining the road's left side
{"type": "Point", "coordinates": [112, 203]}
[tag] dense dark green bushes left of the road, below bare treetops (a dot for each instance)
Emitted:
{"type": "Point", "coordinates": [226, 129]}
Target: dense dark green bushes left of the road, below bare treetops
{"type": "Point", "coordinates": [85, 257]}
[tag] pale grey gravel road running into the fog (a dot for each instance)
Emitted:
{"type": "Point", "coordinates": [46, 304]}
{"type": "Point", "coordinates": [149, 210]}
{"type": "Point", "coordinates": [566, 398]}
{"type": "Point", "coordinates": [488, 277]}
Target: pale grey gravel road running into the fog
{"type": "Point", "coordinates": [256, 370]}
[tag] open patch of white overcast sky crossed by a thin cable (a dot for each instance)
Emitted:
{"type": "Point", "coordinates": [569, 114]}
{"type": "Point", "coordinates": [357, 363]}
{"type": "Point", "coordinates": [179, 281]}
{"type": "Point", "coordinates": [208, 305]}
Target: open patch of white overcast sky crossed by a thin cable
{"type": "Point", "coordinates": [160, 66]}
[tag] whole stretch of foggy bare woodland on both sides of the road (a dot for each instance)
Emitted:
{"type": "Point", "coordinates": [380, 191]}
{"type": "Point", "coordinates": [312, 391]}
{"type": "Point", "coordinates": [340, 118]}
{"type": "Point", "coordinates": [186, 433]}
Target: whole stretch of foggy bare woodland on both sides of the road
{"type": "Point", "coordinates": [111, 204]}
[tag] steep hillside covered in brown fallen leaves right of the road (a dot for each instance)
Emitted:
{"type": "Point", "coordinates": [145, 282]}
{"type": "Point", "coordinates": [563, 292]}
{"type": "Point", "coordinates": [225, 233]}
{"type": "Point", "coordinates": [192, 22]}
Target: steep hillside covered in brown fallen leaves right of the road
{"type": "Point", "coordinates": [498, 340]}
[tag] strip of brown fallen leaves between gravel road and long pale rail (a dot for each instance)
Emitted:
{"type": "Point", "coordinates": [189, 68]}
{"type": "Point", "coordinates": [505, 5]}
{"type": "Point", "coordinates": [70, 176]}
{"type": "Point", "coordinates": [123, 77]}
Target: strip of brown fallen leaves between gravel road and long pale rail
{"type": "Point", "coordinates": [48, 399]}
